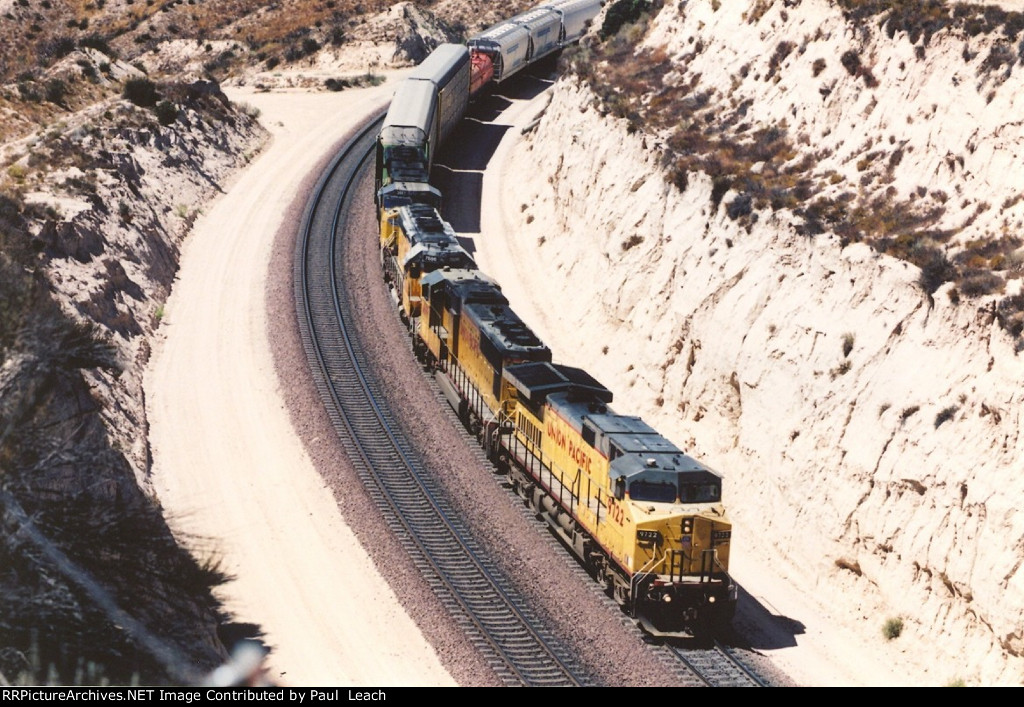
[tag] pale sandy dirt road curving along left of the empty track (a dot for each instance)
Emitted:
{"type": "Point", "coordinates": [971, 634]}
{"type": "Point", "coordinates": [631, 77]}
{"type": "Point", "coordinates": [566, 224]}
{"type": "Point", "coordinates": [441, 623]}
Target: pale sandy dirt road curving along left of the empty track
{"type": "Point", "coordinates": [229, 465]}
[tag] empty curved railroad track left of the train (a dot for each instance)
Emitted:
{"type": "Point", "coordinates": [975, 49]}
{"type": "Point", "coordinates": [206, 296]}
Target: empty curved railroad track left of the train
{"type": "Point", "coordinates": [495, 617]}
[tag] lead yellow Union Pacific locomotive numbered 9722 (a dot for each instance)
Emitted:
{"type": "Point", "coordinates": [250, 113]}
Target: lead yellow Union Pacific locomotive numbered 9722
{"type": "Point", "coordinates": [647, 519]}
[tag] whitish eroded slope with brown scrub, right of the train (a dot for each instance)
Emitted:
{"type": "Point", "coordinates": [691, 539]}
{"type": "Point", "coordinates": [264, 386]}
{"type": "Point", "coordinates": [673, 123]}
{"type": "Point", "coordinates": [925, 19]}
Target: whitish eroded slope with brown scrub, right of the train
{"type": "Point", "coordinates": [866, 408]}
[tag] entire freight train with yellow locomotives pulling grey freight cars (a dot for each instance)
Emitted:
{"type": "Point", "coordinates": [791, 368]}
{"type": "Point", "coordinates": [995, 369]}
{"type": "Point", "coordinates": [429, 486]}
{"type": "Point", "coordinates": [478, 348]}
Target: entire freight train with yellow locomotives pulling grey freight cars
{"type": "Point", "coordinates": [646, 519]}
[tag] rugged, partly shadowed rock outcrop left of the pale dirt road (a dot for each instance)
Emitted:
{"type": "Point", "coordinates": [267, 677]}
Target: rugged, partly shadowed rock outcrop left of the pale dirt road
{"type": "Point", "coordinates": [93, 230]}
